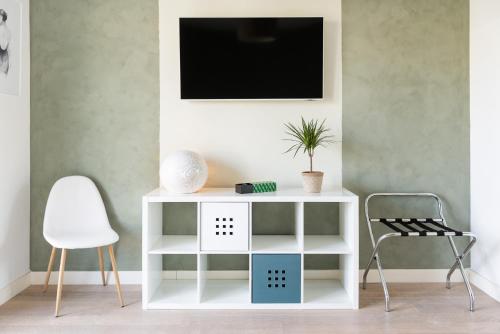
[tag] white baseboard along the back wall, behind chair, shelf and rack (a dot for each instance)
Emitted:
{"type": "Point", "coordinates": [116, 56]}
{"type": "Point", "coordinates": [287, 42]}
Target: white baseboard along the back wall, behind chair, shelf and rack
{"type": "Point", "coordinates": [135, 277]}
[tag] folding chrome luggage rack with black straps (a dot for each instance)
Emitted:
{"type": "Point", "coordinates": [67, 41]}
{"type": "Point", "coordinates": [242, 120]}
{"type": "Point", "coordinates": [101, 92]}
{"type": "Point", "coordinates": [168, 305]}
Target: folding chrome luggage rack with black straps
{"type": "Point", "coordinates": [417, 227]}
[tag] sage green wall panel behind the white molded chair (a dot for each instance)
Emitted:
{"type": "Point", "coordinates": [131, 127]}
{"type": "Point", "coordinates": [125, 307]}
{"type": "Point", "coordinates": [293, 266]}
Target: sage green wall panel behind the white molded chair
{"type": "Point", "coordinates": [95, 112]}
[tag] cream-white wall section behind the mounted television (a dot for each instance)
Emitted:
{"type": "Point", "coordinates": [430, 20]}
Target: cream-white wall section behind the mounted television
{"type": "Point", "coordinates": [242, 141]}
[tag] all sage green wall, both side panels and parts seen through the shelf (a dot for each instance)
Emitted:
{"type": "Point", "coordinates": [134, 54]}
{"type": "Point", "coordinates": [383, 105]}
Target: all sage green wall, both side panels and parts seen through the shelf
{"type": "Point", "coordinates": [95, 111]}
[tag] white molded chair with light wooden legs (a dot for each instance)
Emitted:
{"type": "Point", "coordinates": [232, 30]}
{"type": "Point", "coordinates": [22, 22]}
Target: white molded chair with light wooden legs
{"type": "Point", "coordinates": [75, 218]}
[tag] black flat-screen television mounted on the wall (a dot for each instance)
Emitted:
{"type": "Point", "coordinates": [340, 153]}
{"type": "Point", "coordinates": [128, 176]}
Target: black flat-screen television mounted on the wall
{"type": "Point", "coordinates": [251, 58]}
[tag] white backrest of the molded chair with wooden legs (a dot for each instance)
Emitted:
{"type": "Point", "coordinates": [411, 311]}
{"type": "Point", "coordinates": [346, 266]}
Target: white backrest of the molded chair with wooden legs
{"type": "Point", "coordinates": [74, 206]}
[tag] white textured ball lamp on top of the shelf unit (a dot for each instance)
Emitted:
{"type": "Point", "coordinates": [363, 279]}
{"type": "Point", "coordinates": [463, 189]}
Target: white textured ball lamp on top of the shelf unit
{"type": "Point", "coordinates": [183, 172]}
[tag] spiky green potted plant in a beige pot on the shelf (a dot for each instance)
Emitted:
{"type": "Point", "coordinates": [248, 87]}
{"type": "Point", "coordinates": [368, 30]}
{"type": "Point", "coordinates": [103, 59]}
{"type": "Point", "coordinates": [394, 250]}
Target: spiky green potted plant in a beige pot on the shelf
{"type": "Point", "coordinates": [307, 137]}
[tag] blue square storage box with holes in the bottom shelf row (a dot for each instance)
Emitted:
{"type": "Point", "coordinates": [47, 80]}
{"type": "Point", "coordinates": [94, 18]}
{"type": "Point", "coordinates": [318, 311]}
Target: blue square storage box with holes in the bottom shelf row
{"type": "Point", "coordinates": [276, 278]}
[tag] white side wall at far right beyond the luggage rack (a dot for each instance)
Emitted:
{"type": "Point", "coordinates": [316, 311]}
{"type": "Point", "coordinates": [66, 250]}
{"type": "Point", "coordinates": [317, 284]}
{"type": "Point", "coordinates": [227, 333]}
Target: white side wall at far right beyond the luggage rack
{"type": "Point", "coordinates": [485, 142]}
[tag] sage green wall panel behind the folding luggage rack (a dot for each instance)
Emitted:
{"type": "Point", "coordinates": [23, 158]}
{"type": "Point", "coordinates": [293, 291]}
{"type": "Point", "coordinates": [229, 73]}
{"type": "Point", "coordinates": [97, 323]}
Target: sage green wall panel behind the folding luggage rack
{"type": "Point", "coordinates": [405, 112]}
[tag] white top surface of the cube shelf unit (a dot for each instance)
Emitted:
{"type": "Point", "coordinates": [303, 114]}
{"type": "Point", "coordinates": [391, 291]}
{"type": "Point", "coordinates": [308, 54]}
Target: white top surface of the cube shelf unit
{"type": "Point", "coordinates": [229, 195]}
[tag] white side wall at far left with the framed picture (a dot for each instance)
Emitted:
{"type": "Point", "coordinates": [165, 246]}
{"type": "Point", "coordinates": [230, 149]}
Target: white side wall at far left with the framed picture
{"type": "Point", "coordinates": [15, 175]}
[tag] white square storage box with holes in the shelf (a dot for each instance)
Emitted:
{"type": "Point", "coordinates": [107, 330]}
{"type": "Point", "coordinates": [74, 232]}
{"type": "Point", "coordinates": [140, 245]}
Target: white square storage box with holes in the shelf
{"type": "Point", "coordinates": [224, 226]}
